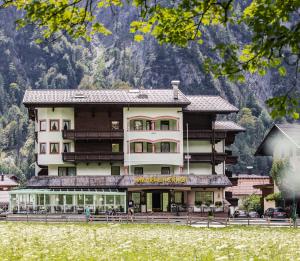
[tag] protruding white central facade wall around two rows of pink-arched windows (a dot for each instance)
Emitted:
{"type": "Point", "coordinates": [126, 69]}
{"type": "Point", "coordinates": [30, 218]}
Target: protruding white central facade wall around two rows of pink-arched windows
{"type": "Point", "coordinates": [153, 158]}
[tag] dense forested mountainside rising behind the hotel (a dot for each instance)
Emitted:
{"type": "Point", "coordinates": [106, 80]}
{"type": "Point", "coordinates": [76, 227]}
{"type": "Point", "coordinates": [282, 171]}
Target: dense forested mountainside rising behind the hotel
{"type": "Point", "coordinates": [117, 61]}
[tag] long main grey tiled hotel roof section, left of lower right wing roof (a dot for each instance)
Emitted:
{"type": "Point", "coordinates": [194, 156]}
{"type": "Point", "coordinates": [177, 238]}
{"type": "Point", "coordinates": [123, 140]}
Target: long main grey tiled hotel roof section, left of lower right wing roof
{"type": "Point", "coordinates": [55, 96]}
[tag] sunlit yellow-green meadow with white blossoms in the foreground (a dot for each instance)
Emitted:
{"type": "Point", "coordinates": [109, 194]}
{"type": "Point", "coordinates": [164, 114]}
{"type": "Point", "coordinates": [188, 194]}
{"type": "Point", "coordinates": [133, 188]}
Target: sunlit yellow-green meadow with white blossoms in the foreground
{"type": "Point", "coordinates": [22, 241]}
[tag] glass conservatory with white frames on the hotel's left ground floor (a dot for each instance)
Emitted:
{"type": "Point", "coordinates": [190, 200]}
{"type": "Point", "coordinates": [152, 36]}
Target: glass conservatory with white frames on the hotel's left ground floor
{"type": "Point", "coordinates": [66, 201]}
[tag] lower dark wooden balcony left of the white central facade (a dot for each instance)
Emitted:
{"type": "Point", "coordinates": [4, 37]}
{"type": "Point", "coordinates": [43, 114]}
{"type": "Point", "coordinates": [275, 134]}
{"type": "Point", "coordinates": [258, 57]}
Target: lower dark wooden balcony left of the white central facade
{"type": "Point", "coordinates": [92, 156]}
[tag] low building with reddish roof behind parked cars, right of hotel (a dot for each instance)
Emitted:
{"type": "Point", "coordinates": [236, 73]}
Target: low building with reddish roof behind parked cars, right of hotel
{"type": "Point", "coordinates": [244, 185]}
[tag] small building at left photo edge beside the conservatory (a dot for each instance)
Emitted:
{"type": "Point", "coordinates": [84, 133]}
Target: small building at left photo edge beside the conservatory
{"type": "Point", "coordinates": [7, 183]}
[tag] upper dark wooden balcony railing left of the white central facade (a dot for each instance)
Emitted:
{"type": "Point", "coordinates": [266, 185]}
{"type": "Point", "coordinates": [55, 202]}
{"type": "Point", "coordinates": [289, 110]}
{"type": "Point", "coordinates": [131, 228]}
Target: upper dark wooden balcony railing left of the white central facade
{"type": "Point", "coordinates": [90, 135]}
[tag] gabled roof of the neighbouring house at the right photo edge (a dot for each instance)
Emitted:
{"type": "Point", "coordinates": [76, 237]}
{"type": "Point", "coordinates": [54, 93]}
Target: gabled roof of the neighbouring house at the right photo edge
{"type": "Point", "coordinates": [291, 132]}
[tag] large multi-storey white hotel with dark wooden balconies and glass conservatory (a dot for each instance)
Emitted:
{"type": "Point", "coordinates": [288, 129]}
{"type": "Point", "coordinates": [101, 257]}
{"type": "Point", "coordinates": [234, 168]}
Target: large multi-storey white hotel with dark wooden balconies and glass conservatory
{"type": "Point", "coordinates": [101, 148]}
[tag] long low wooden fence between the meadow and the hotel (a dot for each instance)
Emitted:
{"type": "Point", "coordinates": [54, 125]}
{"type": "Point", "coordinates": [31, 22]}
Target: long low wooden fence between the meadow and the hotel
{"type": "Point", "coordinates": [151, 219]}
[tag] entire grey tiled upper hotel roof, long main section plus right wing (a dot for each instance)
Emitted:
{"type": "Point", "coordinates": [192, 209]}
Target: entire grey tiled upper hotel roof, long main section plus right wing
{"type": "Point", "coordinates": [192, 103]}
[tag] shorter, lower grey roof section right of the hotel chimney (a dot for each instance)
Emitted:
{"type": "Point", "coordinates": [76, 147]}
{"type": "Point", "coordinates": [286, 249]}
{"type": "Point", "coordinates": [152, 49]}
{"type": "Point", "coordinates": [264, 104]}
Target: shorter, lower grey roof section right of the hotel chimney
{"type": "Point", "coordinates": [204, 103]}
